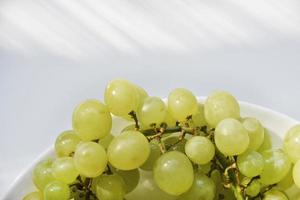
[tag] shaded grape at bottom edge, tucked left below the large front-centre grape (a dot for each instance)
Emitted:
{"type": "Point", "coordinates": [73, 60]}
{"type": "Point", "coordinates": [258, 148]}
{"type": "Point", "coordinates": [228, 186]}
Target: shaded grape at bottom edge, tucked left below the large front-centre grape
{"type": "Point", "coordinates": [148, 190]}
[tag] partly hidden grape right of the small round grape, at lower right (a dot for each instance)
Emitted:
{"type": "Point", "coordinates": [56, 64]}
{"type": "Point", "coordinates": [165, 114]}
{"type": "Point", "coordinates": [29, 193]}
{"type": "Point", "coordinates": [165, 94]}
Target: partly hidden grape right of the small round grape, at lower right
{"type": "Point", "coordinates": [276, 167]}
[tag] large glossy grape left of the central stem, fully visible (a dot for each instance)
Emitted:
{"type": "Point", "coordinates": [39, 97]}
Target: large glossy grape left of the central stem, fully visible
{"type": "Point", "coordinates": [128, 150]}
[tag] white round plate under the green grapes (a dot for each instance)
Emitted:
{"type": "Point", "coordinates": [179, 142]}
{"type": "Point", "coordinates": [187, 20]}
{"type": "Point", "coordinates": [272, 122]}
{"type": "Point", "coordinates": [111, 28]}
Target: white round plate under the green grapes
{"type": "Point", "coordinates": [275, 122]}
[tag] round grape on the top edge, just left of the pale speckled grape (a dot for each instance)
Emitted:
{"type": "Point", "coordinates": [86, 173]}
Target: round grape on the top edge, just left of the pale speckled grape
{"type": "Point", "coordinates": [182, 103]}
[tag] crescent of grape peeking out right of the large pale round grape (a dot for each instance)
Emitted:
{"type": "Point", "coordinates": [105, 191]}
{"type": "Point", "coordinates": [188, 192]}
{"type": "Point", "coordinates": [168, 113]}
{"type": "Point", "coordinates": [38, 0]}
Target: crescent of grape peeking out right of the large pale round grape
{"type": "Point", "coordinates": [255, 132]}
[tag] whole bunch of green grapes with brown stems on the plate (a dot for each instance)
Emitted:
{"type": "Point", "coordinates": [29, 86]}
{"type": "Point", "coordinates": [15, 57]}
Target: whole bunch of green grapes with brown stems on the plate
{"type": "Point", "coordinates": [180, 150]}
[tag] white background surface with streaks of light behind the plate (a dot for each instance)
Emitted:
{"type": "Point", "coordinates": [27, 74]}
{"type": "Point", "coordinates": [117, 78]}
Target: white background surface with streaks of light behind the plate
{"type": "Point", "coordinates": [54, 54]}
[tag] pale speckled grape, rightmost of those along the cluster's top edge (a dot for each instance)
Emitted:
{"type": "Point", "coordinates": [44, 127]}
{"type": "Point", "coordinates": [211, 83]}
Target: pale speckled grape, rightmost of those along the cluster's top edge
{"type": "Point", "coordinates": [220, 105]}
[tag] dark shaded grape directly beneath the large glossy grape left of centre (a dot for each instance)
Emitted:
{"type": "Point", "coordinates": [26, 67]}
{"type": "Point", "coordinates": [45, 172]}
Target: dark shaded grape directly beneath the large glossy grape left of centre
{"type": "Point", "coordinates": [130, 177]}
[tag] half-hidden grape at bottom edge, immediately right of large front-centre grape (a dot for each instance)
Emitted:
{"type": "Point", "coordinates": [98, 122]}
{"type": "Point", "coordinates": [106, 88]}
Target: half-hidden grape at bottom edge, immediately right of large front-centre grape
{"type": "Point", "coordinates": [203, 188]}
